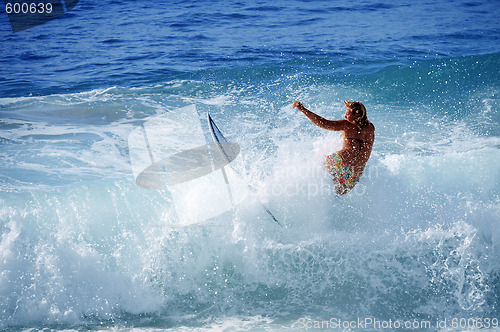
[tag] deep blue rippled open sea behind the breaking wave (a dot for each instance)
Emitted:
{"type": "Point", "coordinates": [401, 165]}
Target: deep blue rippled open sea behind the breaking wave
{"type": "Point", "coordinates": [140, 43]}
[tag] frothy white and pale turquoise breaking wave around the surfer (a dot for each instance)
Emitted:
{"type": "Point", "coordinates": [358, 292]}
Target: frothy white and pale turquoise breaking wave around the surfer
{"type": "Point", "coordinates": [82, 245]}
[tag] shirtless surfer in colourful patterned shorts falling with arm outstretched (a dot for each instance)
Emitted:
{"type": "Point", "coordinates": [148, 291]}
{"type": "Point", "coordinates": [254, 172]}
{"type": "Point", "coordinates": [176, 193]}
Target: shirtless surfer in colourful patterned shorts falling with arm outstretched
{"type": "Point", "coordinates": [347, 165]}
